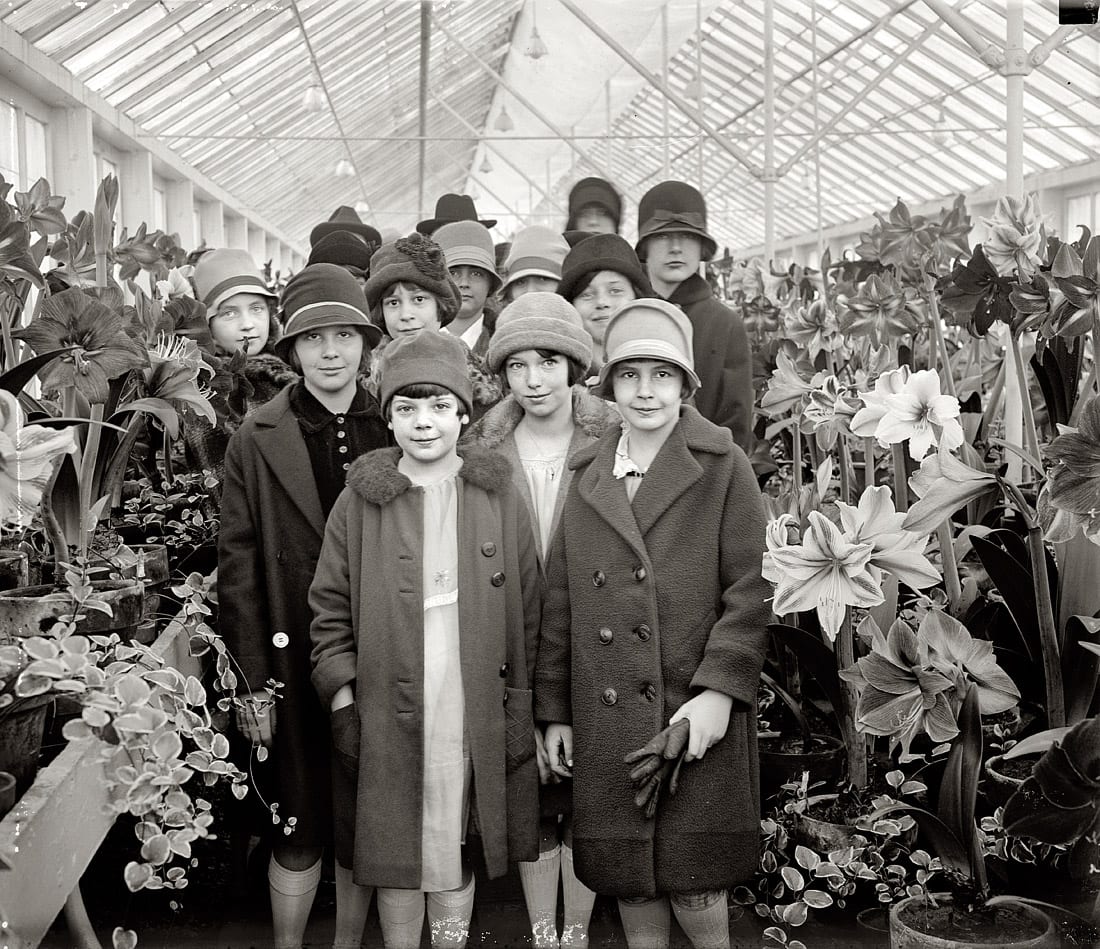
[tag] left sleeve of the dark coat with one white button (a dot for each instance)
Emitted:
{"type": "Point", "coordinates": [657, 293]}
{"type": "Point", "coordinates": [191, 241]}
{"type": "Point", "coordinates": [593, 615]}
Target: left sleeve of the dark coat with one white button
{"type": "Point", "coordinates": [243, 588]}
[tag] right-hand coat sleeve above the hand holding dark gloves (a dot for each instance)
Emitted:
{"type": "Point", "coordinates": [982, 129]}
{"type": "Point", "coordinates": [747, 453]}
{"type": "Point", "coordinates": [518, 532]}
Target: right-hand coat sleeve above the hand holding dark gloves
{"type": "Point", "coordinates": [736, 647]}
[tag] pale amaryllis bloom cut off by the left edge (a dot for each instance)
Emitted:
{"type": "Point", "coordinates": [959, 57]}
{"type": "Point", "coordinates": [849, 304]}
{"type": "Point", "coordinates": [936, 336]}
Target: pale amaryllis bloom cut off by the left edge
{"type": "Point", "coordinates": [27, 462]}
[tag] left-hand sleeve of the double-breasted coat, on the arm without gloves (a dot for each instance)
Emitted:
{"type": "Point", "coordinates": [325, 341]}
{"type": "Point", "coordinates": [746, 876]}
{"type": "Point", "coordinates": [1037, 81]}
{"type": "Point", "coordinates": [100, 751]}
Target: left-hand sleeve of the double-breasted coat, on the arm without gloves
{"type": "Point", "coordinates": [553, 668]}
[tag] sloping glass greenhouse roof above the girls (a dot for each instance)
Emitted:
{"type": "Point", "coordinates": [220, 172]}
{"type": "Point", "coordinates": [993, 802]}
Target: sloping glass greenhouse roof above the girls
{"type": "Point", "coordinates": [911, 112]}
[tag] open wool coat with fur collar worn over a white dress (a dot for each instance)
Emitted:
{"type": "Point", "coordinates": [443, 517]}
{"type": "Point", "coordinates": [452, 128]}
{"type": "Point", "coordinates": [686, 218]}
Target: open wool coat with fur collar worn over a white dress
{"type": "Point", "coordinates": [368, 631]}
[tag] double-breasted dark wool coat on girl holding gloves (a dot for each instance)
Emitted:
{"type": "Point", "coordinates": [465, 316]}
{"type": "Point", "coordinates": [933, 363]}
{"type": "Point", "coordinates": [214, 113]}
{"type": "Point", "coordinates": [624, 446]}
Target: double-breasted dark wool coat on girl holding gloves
{"type": "Point", "coordinates": [648, 605]}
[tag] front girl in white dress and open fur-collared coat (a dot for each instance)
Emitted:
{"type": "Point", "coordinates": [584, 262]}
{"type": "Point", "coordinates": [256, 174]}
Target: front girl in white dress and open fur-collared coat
{"type": "Point", "coordinates": [425, 619]}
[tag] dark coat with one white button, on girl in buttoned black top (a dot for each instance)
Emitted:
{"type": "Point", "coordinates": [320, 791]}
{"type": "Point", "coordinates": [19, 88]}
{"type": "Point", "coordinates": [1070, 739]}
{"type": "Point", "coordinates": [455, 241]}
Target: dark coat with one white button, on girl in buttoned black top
{"type": "Point", "coordinates": [271, 534]}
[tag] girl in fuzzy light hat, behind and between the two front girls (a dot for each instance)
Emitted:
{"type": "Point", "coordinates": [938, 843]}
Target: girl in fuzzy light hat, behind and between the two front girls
{"type": "Point", "coordinates": [542, 352]}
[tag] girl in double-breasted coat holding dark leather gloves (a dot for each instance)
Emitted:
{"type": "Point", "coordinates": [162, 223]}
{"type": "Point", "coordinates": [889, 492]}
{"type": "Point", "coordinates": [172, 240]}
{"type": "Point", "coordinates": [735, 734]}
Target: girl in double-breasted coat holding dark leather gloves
{"type": "Point", "coordinates": [656, 614]}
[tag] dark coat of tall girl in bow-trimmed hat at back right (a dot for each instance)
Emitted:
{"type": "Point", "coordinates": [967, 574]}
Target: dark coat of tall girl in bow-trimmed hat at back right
{"type": "Point", "coordinates": [723, 359]}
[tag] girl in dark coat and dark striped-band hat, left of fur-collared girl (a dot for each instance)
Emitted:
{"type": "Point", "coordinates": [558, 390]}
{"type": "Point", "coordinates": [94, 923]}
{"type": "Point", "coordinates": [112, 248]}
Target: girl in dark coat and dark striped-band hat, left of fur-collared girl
{"type": "Point", "coordinates": [284, 470]}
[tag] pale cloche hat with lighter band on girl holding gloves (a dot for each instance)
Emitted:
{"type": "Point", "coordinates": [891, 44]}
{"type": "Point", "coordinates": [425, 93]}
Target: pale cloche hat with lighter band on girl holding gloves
{"type": "Point", "coordinates": [648, 329]}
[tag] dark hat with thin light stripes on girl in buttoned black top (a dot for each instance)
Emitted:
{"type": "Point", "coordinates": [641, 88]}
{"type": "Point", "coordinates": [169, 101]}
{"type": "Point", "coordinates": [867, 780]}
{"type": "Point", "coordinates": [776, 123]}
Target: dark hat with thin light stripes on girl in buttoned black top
{"type": "Point", "coordinates": [324, 295]}
